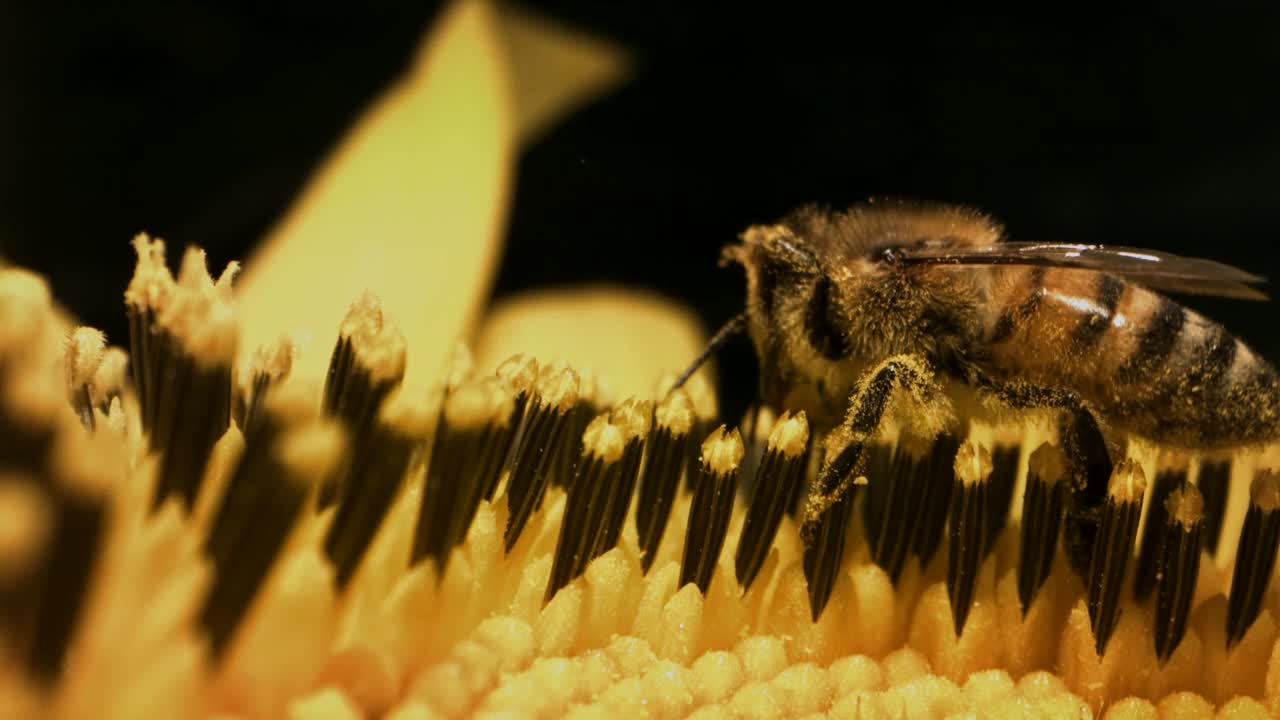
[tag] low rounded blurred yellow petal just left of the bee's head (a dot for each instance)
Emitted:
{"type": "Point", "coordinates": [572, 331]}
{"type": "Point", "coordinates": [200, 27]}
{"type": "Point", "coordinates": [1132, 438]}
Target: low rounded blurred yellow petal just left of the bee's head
{"type": "Point", "coordinates": [630, 338]}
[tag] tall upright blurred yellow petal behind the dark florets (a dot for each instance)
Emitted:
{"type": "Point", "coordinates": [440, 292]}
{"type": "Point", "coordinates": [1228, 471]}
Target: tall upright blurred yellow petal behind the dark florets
{"type": "Point", "coordinates": [410, 207]}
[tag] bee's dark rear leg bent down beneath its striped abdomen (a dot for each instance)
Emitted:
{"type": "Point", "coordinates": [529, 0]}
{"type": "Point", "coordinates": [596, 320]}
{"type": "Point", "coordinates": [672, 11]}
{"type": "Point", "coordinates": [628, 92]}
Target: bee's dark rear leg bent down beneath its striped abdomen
{"type": "Point", "coordinates": [1087, 454]}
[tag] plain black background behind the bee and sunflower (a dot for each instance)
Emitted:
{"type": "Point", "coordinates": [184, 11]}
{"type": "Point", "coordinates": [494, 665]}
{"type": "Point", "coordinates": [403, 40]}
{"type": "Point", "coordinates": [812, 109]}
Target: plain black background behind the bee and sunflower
{"type": "Point", "coordinates": [199, 124]}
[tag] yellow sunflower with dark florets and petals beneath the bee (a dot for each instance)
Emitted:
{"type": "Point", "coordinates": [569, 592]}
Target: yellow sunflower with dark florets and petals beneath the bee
{"type": "Point", "coordinates": [298, 495]}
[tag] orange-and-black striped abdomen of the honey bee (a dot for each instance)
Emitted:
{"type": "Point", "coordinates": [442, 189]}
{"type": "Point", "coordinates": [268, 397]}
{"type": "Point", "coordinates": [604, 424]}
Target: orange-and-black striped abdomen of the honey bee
{"type": "Point", "coordinates": [1145, 363]}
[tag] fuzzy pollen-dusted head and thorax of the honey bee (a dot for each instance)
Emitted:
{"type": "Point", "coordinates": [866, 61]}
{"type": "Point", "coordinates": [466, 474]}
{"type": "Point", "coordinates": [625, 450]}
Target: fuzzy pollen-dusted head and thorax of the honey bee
{"type": "Point", "coordinates": [830, 293]}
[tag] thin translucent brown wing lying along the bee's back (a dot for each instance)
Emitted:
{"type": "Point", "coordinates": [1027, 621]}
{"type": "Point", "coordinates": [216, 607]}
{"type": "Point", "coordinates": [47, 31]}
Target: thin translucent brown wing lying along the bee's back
{"type": "Point", "coordinates": [1151, 268]}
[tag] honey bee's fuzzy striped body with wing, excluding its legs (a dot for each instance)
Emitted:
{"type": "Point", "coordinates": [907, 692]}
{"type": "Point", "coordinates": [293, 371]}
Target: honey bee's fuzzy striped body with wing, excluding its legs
{"type": "Point", "coordinates": [831, 295]}
